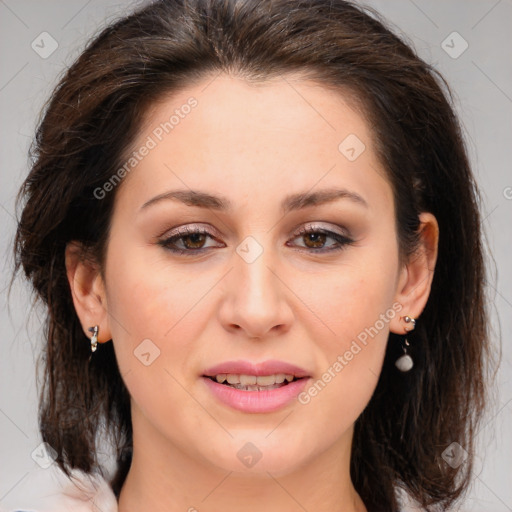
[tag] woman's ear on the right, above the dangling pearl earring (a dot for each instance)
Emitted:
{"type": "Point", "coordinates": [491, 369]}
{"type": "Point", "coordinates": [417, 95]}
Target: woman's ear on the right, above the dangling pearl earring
{"type": "Point", "coordinates": [415, 279]}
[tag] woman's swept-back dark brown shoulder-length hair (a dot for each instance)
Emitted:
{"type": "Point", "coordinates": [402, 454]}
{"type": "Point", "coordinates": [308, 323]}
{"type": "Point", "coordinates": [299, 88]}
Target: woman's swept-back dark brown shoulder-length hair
{"type": "Point", "coordinates": [87, 128]}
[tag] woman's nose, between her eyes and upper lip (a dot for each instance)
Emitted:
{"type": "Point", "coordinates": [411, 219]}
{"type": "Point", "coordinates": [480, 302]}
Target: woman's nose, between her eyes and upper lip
{"type": "Point", "coordinates": [256, 298]}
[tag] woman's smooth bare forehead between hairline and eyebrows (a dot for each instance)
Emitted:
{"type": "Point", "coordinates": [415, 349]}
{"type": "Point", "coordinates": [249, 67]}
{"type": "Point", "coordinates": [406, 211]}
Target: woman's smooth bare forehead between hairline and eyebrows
{"type": "Point", "coordinates": [228, 134]}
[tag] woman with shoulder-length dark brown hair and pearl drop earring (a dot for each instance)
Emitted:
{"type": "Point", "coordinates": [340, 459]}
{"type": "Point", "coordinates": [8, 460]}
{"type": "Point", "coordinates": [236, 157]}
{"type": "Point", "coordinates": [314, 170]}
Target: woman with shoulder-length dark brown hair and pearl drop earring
{"type": "Point", "coordinates": [249, 223]}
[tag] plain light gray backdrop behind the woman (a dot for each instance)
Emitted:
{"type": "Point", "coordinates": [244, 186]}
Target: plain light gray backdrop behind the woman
{"type": "Point", "coordinates": [481, 77]}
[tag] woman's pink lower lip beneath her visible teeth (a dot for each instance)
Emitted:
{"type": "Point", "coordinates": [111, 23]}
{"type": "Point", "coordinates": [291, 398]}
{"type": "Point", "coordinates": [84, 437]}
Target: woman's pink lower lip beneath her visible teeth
{"type": "Point", "coordinates": [256, 401]}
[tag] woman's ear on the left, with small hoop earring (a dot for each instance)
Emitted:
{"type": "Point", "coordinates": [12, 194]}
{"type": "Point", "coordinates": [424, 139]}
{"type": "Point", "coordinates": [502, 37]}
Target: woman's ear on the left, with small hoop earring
{"type": "Point", "coordinates": [88, 291]}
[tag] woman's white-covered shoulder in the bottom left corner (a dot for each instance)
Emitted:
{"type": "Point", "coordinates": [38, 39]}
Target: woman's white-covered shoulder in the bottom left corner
{"type": "Point", "coordinates": [53, 491]}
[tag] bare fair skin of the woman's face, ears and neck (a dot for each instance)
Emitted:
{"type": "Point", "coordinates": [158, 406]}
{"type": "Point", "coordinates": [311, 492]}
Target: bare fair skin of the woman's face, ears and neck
{"type": "Point", "coordinates": [253, 145]}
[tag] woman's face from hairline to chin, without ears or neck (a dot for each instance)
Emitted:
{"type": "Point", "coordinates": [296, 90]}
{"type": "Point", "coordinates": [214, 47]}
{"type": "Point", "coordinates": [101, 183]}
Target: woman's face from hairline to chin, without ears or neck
{"type": "Point", "coordinates": [249, 292]}
